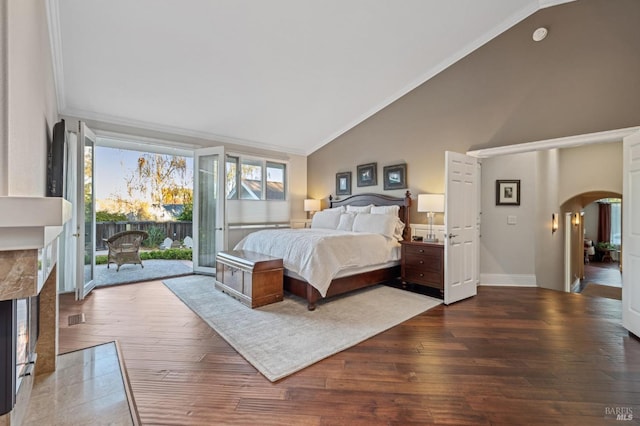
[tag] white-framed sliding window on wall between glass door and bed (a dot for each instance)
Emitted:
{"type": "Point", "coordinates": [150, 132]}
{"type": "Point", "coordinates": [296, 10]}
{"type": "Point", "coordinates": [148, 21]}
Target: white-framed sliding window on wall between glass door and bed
{"type": "Point", "coordinates": [255, 179]}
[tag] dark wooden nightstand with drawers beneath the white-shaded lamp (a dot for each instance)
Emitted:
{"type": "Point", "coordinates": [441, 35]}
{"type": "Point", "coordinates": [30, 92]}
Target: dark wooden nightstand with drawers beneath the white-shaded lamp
{"type": "Point", "coordinates": [423, 264]}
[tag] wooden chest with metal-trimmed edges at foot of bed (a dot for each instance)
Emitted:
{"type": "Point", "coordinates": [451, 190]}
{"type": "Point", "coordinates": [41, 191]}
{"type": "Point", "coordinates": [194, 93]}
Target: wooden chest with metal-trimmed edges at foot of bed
{"type": "Point", "coordinates": [253, 278]}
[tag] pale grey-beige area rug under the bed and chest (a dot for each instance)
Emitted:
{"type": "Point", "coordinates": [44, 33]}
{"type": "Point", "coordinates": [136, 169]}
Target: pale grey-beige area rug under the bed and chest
{"type": "Point", "coordinates": [282, 338]}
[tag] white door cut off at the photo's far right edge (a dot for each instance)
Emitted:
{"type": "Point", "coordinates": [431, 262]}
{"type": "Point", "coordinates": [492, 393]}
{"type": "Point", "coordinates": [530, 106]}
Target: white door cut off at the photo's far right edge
{"type": "Point", "coordinates": [631, 234]}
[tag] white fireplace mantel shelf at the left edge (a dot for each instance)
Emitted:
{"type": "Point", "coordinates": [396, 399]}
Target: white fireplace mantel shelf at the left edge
{"type": "Point", "coordinates": [31, 222]}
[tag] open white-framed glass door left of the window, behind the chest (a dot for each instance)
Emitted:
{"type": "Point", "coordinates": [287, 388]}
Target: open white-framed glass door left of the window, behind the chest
{"type": "Point", "coordinates": [209, 217]}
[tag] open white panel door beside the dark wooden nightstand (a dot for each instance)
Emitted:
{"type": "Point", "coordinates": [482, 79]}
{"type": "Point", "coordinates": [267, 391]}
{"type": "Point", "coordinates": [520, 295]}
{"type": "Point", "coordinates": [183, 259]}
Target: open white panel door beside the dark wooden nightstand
{"type": "Point", "coordinates": [462, 227]}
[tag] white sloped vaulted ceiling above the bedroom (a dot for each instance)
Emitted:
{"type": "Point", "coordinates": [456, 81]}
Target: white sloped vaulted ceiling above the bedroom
{"type": "Point", "coordinates": [288, 75]}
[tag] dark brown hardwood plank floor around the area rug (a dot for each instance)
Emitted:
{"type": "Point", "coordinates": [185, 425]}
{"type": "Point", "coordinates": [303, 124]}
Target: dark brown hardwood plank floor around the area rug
{"type": "Point", "coordinates": [507, 356]}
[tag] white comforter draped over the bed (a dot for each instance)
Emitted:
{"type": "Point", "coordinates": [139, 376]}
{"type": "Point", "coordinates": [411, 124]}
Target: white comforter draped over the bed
{"type": "Point", "coordinates": [317, 255]}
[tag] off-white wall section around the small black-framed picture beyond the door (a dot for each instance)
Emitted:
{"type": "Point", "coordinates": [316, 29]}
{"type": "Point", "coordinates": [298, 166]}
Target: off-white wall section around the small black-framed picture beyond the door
{"type": "Point", "coordinates": [507, 250]}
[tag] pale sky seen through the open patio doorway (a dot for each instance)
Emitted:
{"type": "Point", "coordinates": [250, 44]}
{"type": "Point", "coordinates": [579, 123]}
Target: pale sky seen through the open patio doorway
{"type": "Point", "coordinates": [112, 165]}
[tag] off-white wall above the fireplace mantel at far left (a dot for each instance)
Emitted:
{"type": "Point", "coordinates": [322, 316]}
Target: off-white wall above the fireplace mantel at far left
{"type": "Point", "coordinates": [30, 104]}
